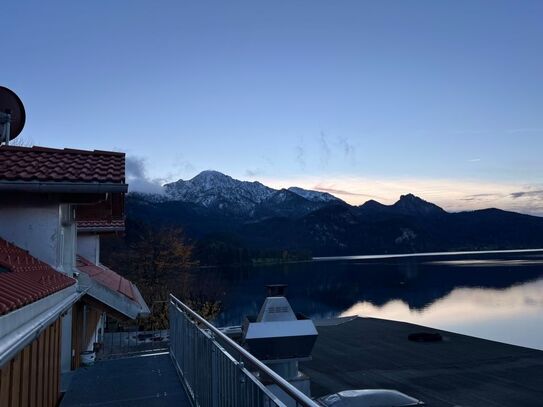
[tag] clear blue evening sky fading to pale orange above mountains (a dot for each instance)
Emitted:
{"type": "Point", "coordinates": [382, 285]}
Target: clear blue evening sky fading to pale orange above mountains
{"type": "Point", "coordinates": [363, 99]}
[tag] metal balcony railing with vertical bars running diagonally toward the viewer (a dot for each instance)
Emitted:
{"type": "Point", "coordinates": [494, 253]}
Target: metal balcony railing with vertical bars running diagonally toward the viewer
{"type": "Point", "coordinates": [218, 372]}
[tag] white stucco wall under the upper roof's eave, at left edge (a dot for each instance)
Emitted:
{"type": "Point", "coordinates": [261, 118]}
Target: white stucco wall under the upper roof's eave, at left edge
{"type": "Point", "coordinates": [34, 227]}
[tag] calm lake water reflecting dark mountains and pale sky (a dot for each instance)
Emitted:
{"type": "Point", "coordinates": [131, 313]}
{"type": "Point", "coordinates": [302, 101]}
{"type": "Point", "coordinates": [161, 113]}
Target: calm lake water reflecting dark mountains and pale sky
{"type": "Point", "coordinates": [493, 296]}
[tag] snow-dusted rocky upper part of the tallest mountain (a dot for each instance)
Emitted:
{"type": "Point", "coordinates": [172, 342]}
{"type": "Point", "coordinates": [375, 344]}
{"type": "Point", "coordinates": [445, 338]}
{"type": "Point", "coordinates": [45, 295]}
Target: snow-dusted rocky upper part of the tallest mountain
{"type": "Point", "coordinates": [213, 189]}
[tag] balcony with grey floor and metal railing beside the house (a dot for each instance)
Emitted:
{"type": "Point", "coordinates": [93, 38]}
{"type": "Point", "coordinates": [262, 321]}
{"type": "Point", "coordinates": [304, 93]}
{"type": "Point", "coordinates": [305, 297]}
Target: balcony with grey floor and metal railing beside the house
{"type": "Point", "coordinates": [203, 367]}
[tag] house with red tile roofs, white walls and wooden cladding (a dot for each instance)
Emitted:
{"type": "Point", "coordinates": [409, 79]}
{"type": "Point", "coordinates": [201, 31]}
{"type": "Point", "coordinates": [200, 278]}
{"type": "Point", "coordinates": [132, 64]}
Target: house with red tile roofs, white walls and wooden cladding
{"type": "Point", "coordinates": [54, 292]}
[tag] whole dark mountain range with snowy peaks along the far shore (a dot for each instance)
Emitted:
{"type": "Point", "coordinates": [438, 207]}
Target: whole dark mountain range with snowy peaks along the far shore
{"type": "Point", "coordinates": [214, 207]}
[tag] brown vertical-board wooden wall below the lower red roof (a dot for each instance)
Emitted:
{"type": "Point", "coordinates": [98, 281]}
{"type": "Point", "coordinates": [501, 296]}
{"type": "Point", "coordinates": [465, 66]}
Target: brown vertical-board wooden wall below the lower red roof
{"type": "Point", "coordinates": [32, 377]}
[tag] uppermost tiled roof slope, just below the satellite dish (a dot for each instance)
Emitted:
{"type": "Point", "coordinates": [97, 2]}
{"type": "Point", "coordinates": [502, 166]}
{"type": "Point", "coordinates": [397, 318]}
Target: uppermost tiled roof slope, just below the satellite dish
{"type": "Point", "coordinates": [56, 165]}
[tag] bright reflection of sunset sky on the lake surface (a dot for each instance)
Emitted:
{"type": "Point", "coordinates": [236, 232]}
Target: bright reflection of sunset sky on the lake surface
{"type": "Point", "coordinates": [512, 315]}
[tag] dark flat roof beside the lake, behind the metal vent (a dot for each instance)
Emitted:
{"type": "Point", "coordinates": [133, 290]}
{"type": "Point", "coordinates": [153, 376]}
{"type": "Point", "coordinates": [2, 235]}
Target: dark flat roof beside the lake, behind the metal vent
{"type": "Point", "coordinates": [369, 353]}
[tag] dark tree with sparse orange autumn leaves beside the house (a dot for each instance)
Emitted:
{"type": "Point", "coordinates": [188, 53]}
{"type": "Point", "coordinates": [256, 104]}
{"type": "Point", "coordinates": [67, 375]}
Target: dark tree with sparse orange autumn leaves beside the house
{"type": "Point", "coordinates": [159, 261]}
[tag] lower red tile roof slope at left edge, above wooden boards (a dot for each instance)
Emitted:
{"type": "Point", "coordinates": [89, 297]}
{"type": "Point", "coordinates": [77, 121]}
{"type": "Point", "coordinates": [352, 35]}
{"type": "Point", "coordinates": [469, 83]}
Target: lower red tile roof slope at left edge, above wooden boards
{"type": "Point", "coordinates": [25, 279]}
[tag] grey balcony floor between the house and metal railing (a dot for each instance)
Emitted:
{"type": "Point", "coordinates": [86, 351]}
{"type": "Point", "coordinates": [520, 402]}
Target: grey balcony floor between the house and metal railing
{"type": "Point", "coordinates": [145, 381]}
